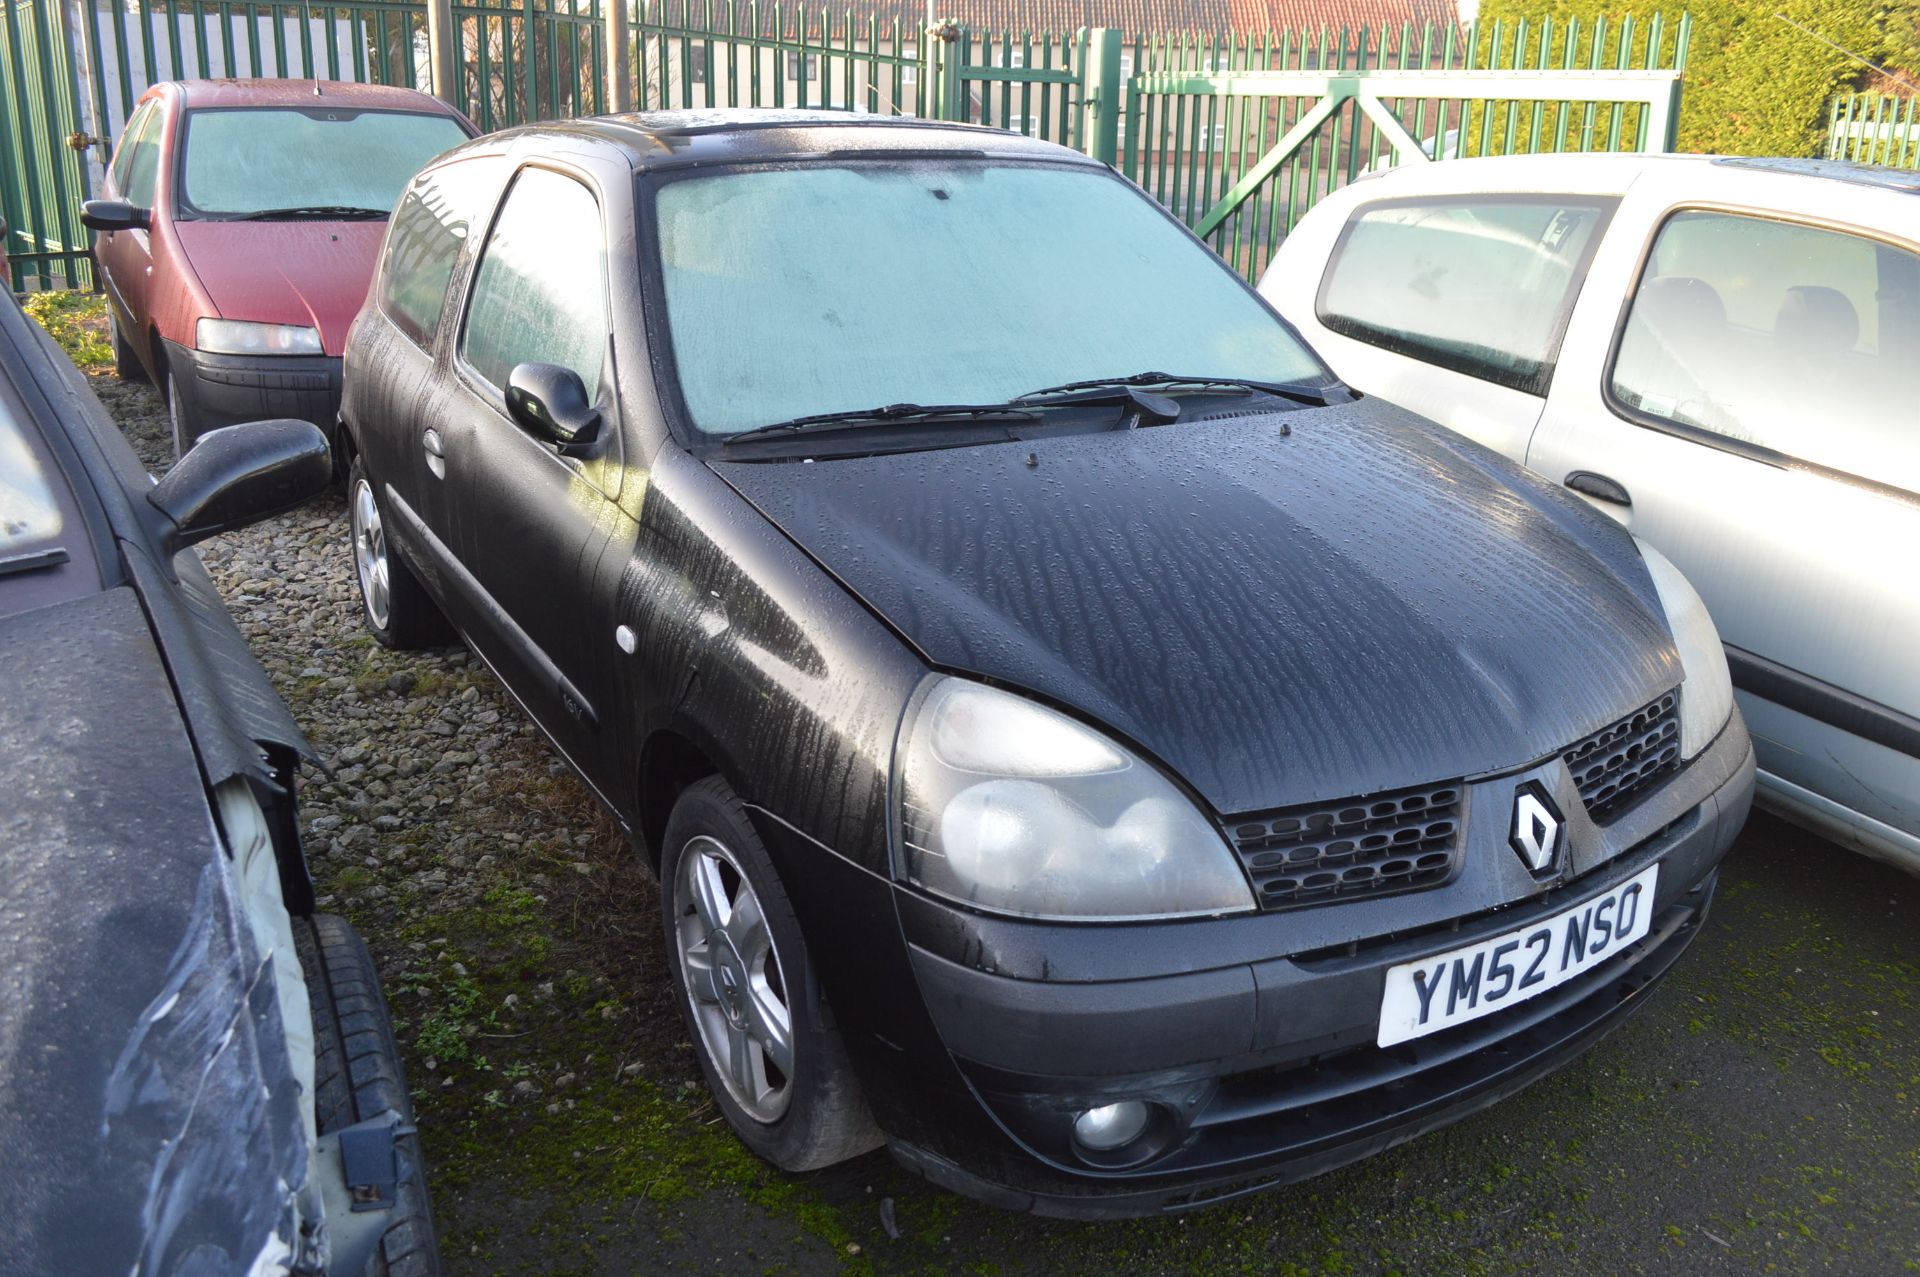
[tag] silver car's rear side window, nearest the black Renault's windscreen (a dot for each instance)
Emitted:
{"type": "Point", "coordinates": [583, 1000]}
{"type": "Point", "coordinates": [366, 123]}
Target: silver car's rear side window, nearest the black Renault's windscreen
{"type": "Point", "coordinates": [1481, 287]}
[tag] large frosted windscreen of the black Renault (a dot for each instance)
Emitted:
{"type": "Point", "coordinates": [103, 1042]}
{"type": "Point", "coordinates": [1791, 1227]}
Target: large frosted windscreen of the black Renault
{"type": "Point", "coordinates": [838, 289]}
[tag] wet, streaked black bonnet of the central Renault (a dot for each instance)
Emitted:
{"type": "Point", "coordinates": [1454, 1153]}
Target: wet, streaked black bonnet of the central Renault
{"type": "Point", "coordinates": [1351, 608]}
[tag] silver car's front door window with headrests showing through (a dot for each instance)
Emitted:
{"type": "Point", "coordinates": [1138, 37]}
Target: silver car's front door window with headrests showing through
{"type": "Point", "coordinates": [1792, 339]}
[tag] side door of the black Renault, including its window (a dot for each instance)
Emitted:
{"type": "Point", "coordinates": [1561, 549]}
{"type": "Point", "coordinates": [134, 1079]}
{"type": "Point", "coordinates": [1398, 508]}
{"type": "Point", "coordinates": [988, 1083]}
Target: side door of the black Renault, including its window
{"type": "Point", "coordinates": [533, 525]}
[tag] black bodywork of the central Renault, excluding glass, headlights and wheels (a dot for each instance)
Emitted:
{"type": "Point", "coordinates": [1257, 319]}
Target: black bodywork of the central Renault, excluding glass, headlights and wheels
{"type": "Point", "coordinates": [1362, 604]}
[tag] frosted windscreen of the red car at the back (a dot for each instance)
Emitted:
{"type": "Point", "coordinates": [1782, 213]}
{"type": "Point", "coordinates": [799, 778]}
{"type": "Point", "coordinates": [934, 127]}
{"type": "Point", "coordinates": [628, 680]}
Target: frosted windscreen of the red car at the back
{"type": "Point", "coordinates": [254, 160]}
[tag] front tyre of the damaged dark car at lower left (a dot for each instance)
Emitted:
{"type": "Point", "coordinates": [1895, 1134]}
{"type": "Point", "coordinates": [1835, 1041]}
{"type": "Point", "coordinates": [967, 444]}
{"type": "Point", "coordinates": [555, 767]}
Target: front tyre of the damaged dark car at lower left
{"type": "Point", "coordinates": [358, 1076]}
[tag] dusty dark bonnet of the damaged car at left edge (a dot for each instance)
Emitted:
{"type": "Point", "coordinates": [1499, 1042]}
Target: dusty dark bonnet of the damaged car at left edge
{"type": "Point", "coordinates": [147, 1101]}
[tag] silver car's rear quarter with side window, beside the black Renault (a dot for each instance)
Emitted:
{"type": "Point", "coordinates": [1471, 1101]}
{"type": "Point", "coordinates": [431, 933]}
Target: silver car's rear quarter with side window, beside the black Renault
{"type": "Point", "coordinates": [1447, 304]}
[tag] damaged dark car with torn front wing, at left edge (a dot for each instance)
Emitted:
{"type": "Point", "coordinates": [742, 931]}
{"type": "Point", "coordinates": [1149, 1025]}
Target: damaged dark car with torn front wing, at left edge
{"type": "Point", "coordinates": [197, 1071]}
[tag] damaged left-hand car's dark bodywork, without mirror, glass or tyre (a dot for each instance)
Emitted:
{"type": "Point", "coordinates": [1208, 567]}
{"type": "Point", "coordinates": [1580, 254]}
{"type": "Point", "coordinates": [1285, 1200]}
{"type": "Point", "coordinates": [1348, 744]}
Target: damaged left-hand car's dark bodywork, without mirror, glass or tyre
{"type": "Point", "coordinates": [147, 1097]}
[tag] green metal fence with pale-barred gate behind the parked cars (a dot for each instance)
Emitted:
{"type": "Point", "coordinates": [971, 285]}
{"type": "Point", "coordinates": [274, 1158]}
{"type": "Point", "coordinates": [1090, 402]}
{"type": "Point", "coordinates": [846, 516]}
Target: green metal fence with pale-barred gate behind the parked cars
{"type": "Point", "coordinates": [1239, 133]}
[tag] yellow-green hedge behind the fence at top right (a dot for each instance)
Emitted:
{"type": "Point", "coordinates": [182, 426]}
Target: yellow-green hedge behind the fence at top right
{"type": "Point", "coordinates": [1754, 84]}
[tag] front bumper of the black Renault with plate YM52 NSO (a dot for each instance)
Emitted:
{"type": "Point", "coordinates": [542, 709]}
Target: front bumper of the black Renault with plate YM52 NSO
{"type": "Point", "coordinates": [1270, 1067]}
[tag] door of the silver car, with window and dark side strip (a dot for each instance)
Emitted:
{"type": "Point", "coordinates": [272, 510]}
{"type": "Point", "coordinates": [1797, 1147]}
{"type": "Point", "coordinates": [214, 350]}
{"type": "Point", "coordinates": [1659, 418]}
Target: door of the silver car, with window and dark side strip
{"type": "Point", "coordinates": [1754, 406]}
